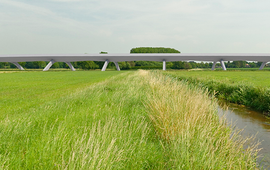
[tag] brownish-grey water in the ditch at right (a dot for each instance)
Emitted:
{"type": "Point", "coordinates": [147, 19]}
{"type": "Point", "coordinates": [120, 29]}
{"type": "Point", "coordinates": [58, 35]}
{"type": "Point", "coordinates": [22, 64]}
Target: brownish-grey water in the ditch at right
{"type": "Point", "coordinates": [253, 123]}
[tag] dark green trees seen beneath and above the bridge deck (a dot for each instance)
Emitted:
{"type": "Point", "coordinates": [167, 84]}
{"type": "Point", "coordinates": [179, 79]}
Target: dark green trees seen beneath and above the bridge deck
{"type": "Point", "coordinates": [87, 65]}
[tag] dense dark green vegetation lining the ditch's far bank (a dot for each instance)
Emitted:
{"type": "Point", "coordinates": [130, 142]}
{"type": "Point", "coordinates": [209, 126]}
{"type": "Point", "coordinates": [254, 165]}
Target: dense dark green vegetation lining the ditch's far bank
{"type": "Point", "coordinates": [241, 93]}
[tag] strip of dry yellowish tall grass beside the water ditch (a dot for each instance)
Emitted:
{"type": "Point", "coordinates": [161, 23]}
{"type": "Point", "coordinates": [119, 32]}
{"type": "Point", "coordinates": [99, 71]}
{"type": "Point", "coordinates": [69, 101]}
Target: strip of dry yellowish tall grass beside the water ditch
{"type": "Point", "coordinates": [192, 134]}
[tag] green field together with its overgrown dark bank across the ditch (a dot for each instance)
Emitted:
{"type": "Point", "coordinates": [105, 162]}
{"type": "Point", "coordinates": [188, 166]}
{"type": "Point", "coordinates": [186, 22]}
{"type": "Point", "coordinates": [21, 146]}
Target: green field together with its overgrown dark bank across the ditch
{"type": "Point", "coordinates": [249, 88]}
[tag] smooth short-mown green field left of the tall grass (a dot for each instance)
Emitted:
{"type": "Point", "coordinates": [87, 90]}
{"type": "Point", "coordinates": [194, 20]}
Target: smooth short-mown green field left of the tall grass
{"type": "Point", "coordinates": [20, 91]}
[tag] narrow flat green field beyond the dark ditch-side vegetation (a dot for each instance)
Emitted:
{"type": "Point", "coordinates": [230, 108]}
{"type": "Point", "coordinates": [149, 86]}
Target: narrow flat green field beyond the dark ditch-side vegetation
{"type": "Point", "coordinates": [257, 78]}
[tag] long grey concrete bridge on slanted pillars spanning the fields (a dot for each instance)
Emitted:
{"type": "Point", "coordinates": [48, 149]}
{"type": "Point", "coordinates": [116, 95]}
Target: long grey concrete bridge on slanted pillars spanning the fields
{"type": "Point", "coordinates": [163, 57]}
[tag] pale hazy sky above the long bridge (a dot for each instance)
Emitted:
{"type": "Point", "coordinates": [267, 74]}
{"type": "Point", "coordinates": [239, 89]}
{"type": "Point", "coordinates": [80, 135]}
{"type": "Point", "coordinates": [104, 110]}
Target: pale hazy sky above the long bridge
{"type": "Point", "coordinates": [116, 26]}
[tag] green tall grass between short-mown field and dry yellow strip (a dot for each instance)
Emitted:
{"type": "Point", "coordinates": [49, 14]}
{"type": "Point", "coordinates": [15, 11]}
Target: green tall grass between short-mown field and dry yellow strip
{"type": "Point", "coordinates": [103, 126]}
